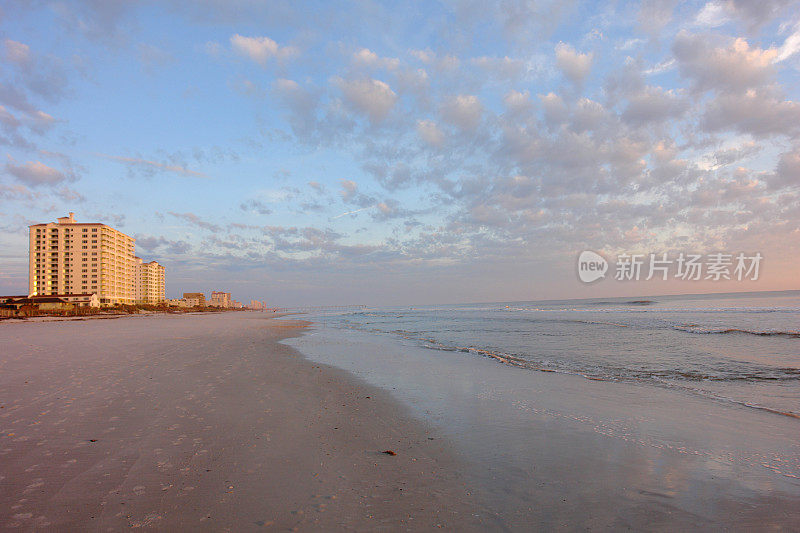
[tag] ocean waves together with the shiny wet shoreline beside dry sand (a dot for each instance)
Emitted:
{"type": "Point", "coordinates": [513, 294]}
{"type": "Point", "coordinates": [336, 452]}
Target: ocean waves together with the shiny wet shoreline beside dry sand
{"type": "Point", "coordinates": [626, 407]}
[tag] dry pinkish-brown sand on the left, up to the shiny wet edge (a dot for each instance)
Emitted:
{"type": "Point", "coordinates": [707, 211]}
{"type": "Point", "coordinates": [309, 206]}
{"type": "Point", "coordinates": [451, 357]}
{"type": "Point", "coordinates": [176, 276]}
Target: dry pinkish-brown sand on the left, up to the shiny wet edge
{"type": "Point", "coordinates": [206, 422]}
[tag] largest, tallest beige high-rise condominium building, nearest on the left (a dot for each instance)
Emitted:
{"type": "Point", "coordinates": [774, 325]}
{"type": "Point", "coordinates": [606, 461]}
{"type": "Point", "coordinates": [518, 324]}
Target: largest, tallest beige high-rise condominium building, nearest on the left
{"type": "Point", "coordinates": [67, 257]}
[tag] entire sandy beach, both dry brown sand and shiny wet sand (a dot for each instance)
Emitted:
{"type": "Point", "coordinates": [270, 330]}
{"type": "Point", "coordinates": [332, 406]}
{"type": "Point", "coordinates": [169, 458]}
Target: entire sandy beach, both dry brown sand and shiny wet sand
{"type": "Point", "coordinates": [215, 422]}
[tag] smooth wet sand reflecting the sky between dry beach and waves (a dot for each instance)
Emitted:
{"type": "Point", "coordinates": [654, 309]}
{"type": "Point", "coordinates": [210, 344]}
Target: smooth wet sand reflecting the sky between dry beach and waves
{"type": "Point", "coordinates": [567, 452]}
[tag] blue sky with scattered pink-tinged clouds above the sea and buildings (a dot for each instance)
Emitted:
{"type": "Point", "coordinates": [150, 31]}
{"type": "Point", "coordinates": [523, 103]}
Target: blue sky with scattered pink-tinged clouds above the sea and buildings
{"type": "Point", "coordinates": [331, 153]}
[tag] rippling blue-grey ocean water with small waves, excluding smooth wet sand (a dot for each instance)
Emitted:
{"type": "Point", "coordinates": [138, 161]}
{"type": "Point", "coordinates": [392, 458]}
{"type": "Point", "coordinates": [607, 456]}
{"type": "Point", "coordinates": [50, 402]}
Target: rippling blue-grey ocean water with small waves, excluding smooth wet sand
{"type": "Point", "coordinates": [740, 347]}
